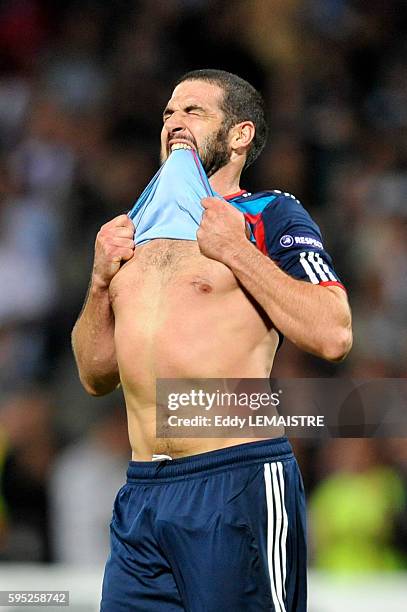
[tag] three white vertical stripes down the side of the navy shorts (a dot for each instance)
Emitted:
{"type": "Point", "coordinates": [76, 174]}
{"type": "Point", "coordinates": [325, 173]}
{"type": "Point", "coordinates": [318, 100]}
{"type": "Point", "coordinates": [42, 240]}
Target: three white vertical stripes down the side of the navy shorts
{"type": "Point", "coordinates": [277, 526]}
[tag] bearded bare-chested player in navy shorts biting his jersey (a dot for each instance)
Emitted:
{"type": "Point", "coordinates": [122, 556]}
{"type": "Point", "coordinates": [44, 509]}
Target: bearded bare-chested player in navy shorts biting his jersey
{"type": "Point", "coordinates": [219, 525]}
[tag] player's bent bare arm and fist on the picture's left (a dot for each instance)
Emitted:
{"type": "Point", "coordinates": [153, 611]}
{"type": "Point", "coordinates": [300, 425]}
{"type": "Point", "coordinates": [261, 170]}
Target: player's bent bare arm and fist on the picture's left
{"type": "Point", "coordinates": [93, 334]}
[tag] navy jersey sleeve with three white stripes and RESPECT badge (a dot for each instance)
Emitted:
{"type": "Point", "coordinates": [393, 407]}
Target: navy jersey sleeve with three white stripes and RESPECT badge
{"type": "Point", "coordinates": [293, 240]}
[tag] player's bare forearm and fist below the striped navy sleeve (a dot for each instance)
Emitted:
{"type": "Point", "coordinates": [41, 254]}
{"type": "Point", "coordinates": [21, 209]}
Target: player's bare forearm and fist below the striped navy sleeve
{"type": "Point", "coordinates": [316, 318]}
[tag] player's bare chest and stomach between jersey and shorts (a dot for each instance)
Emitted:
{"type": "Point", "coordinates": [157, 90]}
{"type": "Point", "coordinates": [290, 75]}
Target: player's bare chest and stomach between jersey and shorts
{"type": "Point", "coordinates": [179, 314]}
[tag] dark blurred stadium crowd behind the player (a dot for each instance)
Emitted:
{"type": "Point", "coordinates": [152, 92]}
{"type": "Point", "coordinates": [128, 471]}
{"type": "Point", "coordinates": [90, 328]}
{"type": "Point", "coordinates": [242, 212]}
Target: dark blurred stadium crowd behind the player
{"type": "Point", "coordinates": [82, 89]}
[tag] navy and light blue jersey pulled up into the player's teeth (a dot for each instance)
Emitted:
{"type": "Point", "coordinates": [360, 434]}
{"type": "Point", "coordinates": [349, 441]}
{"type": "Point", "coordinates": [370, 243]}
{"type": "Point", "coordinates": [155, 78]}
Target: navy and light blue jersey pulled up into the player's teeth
{"type": "Point", "coordinates": [170, 207]}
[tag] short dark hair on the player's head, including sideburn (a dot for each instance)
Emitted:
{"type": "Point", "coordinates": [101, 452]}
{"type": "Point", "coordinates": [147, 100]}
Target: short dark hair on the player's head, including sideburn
{"type": "Point", "coordinates": [241, 102]}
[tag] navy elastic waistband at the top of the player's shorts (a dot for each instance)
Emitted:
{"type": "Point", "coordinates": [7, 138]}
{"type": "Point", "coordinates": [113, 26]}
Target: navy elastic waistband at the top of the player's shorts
{"type": "Point", "coordinates": [276, 449]}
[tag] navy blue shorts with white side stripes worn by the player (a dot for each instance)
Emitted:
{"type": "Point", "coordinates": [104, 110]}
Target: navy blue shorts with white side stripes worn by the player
{"type": "Point", "coordinates": [219, 531]}
